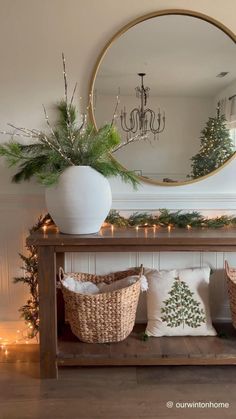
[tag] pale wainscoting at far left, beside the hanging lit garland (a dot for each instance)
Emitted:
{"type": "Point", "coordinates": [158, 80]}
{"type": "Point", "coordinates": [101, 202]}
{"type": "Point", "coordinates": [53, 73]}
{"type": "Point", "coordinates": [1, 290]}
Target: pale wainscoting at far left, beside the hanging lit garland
{"type": "Point", "coordinates": [17, 214]}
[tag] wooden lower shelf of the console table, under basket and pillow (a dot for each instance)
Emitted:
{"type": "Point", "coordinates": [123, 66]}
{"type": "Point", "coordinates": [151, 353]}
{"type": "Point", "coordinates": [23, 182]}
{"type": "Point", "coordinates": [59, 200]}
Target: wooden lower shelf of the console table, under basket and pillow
{"type": "Point", "coordinates": [200, 350]}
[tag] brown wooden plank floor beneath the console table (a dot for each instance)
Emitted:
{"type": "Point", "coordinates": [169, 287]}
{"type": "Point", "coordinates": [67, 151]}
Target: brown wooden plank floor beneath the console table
{"type": "Point", "coordinates": [112, 392]}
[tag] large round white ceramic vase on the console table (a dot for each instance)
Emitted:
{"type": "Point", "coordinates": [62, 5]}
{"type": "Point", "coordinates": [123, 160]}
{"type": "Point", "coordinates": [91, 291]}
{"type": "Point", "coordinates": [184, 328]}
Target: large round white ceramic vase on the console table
{"type": "Point", "coordinates": [81, 200]}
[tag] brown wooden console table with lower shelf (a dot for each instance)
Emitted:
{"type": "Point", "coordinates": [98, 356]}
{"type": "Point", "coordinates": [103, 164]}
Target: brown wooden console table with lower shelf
{"type": "Point", "coordinates": [67, 350]}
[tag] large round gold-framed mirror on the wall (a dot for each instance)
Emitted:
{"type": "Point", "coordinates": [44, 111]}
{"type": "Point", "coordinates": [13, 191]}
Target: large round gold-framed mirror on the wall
{"type": "Point", "coordinates": [174, 73]}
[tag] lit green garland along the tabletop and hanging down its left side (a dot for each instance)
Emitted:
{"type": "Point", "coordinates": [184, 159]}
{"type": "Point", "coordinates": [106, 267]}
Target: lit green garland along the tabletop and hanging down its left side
{"type": "Point", "coordinates": [164, 218]}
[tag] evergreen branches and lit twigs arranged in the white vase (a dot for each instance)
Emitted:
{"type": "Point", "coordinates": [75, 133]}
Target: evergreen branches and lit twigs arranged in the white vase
{"type": "Point", "coordinates": [67, 143]}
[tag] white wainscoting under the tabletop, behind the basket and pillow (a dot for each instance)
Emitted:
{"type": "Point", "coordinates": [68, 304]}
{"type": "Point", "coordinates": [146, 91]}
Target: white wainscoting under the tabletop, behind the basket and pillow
{"type": "Point", "coordinates": [102, 263]}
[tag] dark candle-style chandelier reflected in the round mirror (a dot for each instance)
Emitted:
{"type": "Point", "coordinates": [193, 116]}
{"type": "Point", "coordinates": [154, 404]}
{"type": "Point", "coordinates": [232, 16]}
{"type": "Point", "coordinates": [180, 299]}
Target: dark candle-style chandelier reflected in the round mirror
{"type": "Point", "coordinates": [142, 120]}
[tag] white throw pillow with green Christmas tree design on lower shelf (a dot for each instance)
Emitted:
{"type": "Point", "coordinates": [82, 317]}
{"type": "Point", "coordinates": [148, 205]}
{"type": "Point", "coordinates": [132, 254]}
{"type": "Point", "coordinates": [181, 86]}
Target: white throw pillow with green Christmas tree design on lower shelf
{"type": "Point", "coordinates": [178, 303]}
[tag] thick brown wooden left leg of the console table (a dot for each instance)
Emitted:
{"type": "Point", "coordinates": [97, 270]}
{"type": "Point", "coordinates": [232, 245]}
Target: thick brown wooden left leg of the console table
{"type": "Point", "coordinates": [47, 311]}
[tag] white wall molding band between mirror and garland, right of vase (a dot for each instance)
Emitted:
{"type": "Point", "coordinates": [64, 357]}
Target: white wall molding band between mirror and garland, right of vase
{"type": "Point", "coordinates": [151, 202]}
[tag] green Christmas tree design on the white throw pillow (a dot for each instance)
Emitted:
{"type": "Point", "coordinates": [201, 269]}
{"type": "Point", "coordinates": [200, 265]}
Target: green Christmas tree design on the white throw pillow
{"type": "Point", "coordinates": [181, 308]}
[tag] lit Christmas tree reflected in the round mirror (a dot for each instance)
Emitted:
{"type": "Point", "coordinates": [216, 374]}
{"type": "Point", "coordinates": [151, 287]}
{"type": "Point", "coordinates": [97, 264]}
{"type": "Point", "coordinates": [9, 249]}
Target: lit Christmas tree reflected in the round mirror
{"type": "Point", "coordinates": [216, 147]}
